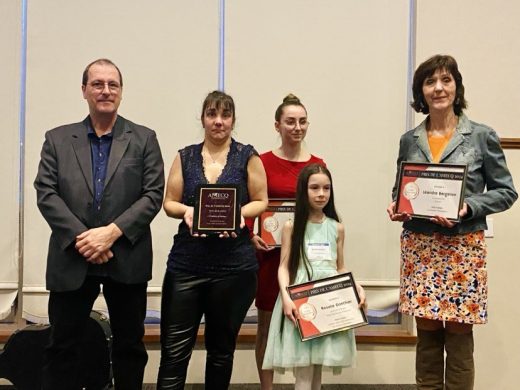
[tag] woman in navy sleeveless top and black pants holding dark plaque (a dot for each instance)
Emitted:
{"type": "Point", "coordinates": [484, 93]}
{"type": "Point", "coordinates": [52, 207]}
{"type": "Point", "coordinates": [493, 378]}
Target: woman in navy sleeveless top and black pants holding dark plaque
{"type": "Point", "coordinates": [211, 272]}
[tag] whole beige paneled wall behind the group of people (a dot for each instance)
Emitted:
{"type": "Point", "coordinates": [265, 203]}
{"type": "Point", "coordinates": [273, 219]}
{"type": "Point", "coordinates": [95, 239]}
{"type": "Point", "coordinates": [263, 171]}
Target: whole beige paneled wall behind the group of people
{"type": "Point", "coordinates": [345, 59]}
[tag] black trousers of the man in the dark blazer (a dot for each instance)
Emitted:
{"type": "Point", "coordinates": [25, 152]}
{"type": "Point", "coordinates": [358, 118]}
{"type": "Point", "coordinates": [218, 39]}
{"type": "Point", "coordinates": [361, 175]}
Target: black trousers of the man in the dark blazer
{"type": "Point", "coordinates": [68, 314]}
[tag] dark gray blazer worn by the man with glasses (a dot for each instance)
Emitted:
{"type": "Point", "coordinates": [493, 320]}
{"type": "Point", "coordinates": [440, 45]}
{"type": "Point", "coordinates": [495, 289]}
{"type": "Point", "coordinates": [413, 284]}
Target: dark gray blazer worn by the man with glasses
{"type": "Point", "coordinates": [132, 197]}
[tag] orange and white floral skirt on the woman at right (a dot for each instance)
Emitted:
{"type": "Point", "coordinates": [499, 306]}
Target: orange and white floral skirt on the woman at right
{"type": "Point", "coordinates": [444, 277]}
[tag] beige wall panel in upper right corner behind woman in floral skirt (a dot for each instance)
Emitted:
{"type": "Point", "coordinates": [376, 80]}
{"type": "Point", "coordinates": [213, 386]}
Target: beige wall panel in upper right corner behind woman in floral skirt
{"type": "Point", "coordinates": [482, 35]}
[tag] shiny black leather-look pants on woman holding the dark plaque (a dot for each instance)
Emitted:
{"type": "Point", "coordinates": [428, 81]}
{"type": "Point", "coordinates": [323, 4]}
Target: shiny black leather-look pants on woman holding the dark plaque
{"type": "Point", "coordinates": [224, 301]}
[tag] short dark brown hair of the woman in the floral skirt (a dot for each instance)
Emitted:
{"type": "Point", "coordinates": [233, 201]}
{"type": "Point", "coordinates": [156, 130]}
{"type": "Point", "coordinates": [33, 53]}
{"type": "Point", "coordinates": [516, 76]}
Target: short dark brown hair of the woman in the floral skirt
{"type": "Point", "coordinates": [427, 69]}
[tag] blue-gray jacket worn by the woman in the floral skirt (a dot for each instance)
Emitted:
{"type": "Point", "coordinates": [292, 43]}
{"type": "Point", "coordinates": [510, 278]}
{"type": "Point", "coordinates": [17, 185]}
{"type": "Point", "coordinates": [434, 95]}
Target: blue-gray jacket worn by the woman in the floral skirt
{"type": "Point", "coordinates": [489, 185]}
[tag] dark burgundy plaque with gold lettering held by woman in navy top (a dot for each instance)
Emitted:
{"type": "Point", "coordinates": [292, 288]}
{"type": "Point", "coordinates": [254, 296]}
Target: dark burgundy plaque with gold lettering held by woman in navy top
{"type": "Point", "coordinates": [217, 209]}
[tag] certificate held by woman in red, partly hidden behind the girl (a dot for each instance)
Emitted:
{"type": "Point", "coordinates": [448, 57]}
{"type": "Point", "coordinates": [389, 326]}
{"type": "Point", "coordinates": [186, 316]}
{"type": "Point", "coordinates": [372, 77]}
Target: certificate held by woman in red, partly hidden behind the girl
{"type": "Point", "coordinates": [272, 220]}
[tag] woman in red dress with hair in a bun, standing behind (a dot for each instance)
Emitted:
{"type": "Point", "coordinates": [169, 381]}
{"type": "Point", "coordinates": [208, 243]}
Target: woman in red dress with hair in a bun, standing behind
{"type": "Point", "coordinates": [282, 165]}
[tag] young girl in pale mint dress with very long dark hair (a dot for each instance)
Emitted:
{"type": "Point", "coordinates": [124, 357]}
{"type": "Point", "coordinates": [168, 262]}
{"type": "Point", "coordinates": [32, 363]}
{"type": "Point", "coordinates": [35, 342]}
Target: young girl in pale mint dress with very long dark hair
{"type": "Point", "coordinates": [315, 228]}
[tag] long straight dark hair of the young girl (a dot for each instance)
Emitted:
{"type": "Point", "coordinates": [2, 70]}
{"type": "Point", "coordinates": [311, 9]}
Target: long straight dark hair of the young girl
{"type": "Point", "coordinates": [301, 216]}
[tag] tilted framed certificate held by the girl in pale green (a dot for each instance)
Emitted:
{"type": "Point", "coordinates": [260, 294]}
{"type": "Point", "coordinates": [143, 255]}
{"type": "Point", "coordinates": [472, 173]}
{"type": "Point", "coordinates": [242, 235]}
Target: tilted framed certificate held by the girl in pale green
{"type": "Point", "coordinates": [327, 306]}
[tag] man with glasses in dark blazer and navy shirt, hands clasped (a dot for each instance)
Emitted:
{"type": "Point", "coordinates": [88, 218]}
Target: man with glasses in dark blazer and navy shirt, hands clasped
{"type": "Point", "coordinates": [100, 183]}
